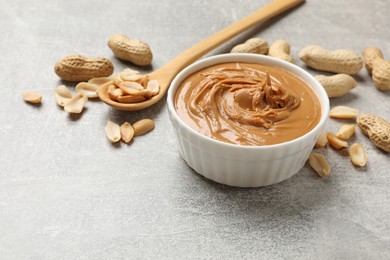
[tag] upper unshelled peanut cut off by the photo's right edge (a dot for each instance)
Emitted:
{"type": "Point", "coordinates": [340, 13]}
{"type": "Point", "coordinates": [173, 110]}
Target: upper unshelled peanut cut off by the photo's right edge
{"type": "Point", "coordinates": [378, 67]}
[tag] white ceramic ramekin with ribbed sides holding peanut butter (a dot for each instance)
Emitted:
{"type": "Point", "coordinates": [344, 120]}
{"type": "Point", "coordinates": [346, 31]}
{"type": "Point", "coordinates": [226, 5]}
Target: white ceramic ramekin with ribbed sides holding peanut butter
{"type": "Point", "coordinates": [245, 166]}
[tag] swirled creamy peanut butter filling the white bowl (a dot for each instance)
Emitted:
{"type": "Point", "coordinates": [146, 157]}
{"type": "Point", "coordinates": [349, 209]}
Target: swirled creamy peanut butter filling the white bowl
{"type": "Point", "coordinates": [247, 104]}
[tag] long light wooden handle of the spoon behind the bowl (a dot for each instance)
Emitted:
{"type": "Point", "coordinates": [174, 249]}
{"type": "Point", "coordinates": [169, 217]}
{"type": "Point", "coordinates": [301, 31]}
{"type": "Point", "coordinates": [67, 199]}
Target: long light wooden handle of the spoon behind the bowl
{"type": "Point", "coordinates": [192, 54]}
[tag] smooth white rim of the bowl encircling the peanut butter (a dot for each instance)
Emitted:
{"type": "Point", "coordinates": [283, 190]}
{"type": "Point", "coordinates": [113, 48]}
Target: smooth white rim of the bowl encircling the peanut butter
{"type": "Point", "coordinates": [260, 59]}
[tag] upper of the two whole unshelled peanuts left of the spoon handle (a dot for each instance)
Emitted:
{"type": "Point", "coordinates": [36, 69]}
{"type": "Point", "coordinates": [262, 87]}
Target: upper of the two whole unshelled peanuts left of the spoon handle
{"type": "Point", "coordinates": [135, 51]}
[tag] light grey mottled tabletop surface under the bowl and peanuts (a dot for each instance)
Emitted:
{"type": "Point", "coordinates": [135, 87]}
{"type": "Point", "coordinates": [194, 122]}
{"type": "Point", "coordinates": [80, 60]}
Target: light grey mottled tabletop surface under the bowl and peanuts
{"type": "Point", "coordinates": [67, 193]}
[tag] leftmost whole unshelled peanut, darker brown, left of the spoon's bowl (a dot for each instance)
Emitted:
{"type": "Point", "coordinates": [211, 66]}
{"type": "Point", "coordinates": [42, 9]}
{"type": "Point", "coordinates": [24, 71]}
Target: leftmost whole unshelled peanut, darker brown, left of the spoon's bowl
{"type": "Point", "coordinates": [79, 68]}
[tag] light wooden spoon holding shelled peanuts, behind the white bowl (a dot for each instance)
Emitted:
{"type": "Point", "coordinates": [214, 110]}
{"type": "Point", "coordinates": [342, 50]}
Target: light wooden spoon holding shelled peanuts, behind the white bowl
{"type": "Point", "coordinates": [166, 74]}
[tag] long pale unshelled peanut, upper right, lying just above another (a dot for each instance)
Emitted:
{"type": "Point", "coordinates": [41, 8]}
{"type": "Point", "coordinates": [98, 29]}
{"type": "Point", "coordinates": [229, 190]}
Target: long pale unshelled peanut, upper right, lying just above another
{"type": "Point", "coordinates": [338, 61]}
